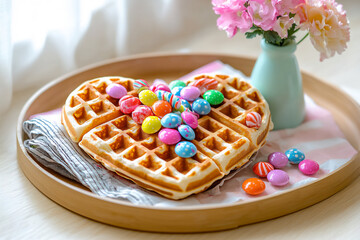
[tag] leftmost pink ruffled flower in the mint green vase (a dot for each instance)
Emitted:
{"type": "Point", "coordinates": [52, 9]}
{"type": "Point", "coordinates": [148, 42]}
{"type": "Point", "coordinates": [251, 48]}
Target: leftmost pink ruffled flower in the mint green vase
{"type": "Point", "coordinates": [233, 16]}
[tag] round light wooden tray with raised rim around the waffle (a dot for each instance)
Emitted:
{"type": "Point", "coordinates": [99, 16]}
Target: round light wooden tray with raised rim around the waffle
{"type": "Point", "coordinates": [184, 219]}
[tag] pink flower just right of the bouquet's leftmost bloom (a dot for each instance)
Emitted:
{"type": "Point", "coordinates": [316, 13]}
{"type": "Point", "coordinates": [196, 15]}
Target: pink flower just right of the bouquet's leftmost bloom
{"type": "Point", "coordinates": [263, 13]}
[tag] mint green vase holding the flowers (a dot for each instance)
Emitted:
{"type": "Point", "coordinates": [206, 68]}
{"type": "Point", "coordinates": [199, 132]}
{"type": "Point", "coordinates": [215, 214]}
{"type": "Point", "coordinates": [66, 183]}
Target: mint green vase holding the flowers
{"type": "Point", "coordinates": [277, 76]}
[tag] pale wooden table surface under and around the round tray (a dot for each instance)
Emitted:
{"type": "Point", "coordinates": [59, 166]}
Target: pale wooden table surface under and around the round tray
{"type": "Point", "coordinates": [25, 213]}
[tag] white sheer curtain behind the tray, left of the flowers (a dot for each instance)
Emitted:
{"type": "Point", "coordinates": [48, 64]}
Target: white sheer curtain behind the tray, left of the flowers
{"type": "Point", "coordinates": [43, 39]}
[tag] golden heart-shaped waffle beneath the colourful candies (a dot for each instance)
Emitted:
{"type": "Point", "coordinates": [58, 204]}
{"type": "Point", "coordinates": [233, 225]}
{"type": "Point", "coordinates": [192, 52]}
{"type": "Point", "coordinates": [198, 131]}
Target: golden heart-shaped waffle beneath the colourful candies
{"type": "Point", "coordinates": [224, 142]}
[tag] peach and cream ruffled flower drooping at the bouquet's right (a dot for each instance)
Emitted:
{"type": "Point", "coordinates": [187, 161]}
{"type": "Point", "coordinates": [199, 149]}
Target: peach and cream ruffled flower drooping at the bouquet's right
{"type": "Point", "coordinates": [328, 27]}
